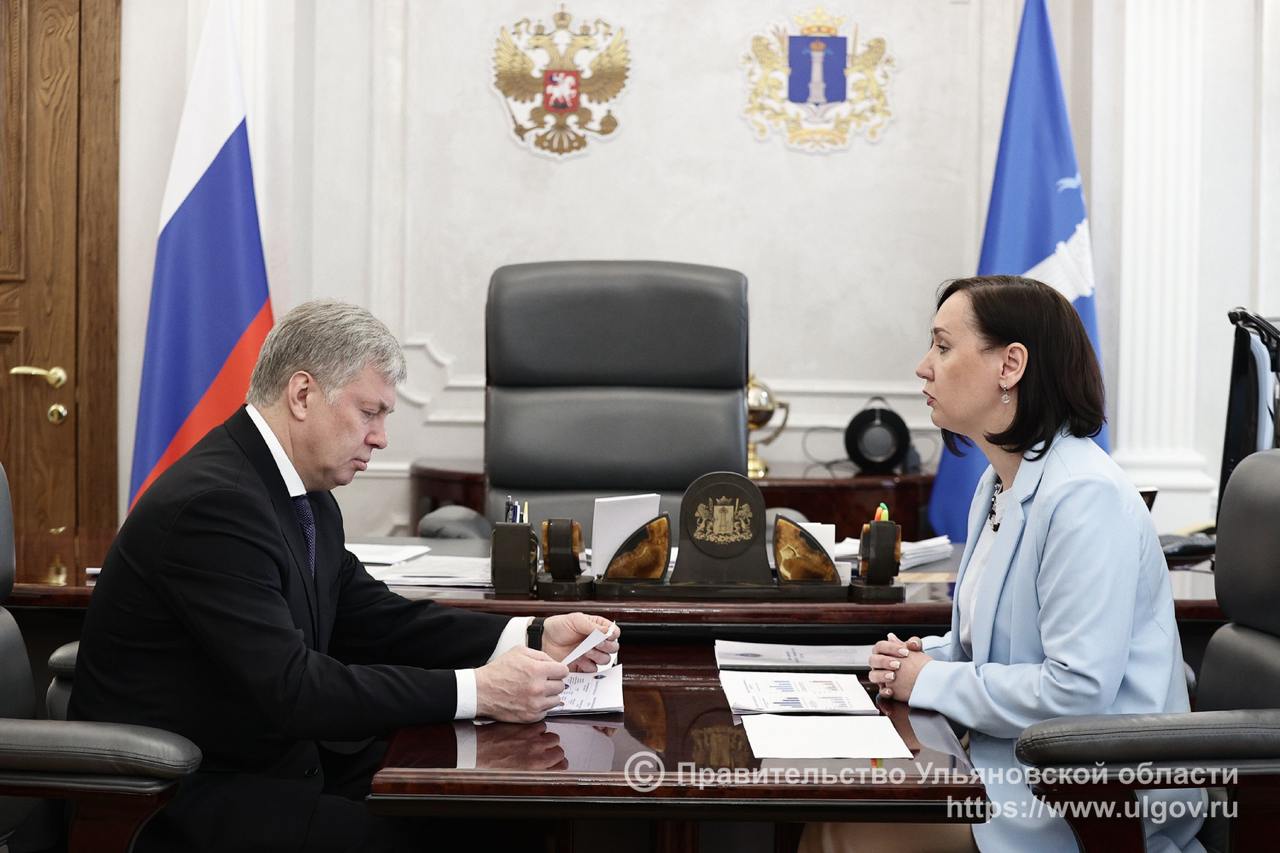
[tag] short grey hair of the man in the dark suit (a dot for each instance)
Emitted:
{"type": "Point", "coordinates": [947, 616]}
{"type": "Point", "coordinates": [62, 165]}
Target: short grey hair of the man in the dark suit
{"type": "Point", "coordinates": [333, 341]}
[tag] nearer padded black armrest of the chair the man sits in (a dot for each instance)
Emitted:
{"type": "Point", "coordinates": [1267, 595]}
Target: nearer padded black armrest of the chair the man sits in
{"type": "Point", "coordinates": [94, 749]}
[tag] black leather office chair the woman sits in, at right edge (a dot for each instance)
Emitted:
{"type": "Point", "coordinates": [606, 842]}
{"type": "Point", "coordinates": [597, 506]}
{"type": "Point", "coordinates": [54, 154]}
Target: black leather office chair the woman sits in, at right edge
{"type": "Point", "coordinates": [1236, 728]}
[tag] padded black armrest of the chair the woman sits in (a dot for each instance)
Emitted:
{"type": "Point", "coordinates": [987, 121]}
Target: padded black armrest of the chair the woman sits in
{"type": "Point", "coordinates": [1208, 740]}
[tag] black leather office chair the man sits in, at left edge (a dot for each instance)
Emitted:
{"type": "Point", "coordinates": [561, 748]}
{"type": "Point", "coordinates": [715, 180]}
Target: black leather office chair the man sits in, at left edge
{"type": "Point", "coordinates": [113, 777]}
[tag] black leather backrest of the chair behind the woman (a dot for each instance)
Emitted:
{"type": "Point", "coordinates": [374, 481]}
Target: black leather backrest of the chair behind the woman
{"type": "Point", "coordinates": [1242, 663]}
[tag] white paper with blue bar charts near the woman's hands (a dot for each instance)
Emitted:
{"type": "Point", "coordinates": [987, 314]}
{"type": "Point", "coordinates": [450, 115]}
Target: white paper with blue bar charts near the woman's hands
{"type": "Point", "coordinates": [796, 694]}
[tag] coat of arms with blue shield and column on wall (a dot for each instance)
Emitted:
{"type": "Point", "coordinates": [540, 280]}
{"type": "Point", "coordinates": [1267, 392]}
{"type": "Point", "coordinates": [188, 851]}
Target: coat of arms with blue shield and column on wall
{"type": "Point", "coordinates": [816, 88]}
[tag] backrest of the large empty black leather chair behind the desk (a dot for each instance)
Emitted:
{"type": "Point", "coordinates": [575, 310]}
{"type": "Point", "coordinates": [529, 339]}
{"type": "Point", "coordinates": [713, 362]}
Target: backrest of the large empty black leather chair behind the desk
{"type": "Point", "coordinates": [612, 378]}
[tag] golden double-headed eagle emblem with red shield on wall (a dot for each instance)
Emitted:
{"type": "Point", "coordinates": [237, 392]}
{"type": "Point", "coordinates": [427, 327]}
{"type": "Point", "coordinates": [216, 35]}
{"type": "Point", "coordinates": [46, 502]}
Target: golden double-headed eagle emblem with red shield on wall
{"type": "Point", "coordinates": [555, 80]}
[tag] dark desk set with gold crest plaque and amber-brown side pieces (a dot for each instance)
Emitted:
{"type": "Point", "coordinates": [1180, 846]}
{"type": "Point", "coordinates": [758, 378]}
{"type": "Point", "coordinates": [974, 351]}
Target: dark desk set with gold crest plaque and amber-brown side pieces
{"type": "Point", "coordinates": [723, 553]}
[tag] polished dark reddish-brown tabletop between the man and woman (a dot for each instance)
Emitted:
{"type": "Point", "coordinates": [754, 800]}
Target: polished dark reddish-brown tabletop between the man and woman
{"type": "Point", "coordinates": [676, 714]}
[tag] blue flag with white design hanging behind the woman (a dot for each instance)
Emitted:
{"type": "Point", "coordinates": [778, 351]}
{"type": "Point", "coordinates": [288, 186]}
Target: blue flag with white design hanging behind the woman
{"type": "Point", "coordinates": [1036, 226]}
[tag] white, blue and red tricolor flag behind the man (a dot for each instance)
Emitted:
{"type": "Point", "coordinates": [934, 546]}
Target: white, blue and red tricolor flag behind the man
{"type": "Point", "coordinates": [211, 308]}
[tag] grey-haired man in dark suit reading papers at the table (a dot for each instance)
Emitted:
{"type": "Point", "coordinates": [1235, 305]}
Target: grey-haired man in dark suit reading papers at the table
{"type": "Point", "coordinates": [230, 612]}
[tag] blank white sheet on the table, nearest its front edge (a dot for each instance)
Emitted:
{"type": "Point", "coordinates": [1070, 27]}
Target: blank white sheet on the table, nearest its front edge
{"type": "Point", "coordinates": [839, 737]}
